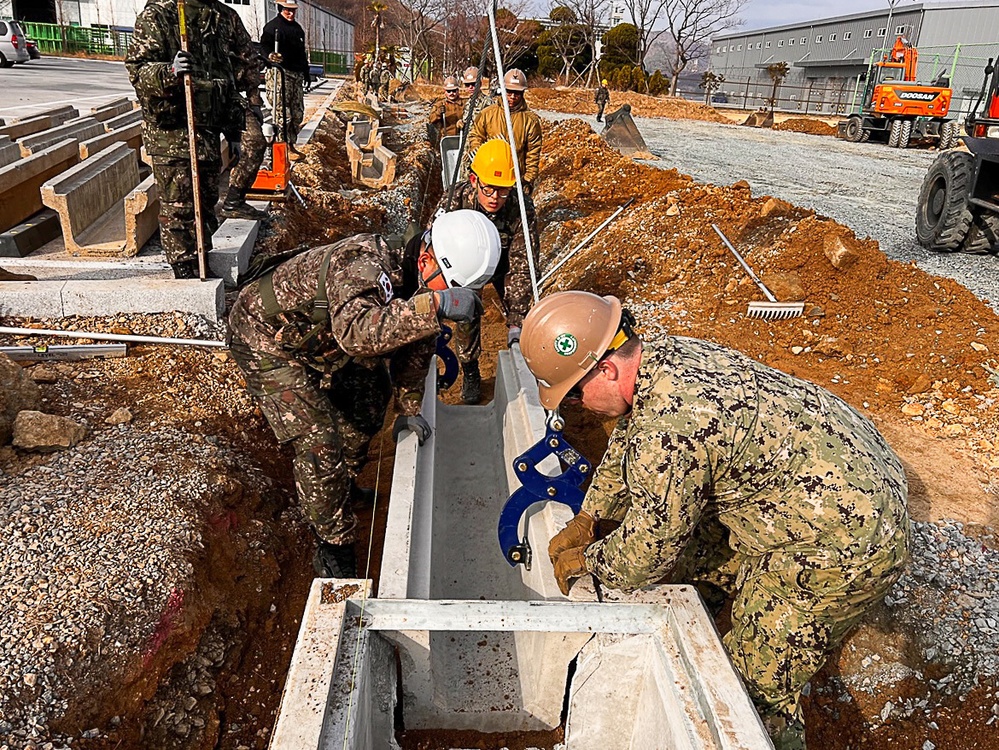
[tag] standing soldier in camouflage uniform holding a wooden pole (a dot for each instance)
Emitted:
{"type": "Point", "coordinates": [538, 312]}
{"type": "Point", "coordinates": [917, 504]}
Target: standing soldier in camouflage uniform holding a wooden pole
{"type": "Point", "coordinates": [221, 63]}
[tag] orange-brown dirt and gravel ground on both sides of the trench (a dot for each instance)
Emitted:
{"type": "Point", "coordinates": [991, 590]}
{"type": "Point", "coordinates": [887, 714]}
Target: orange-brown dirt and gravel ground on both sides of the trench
{"type": "Point", "coordinates": [155, 573]}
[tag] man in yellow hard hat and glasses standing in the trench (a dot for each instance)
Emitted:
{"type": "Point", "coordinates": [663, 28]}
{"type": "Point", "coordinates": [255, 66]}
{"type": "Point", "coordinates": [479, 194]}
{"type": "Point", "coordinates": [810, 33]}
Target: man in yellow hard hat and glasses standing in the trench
{"type": "Point", "coordinates": [489, 190]}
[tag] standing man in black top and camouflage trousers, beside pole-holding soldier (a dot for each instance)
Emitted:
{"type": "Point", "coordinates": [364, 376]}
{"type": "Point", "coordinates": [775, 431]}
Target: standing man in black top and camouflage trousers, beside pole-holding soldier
{"type": "Point", "coordinates": [283, 41]}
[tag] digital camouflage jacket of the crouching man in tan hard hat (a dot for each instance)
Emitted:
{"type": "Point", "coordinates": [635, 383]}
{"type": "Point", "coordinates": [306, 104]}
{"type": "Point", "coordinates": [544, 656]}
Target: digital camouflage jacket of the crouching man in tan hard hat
{"type": "Point", "coordinates": [791, 470]}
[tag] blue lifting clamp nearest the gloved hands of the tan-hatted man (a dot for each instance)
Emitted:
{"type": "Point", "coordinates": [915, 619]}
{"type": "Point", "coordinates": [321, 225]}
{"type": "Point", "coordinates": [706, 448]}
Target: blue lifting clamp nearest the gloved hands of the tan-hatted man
{"type": "Point", "coordinates": [566, 487]}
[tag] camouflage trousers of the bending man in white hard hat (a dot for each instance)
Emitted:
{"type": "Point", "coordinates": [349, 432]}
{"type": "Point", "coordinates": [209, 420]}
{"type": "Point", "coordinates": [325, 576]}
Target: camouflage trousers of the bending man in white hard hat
{"type": "Point", "coordinates": [329, 429]}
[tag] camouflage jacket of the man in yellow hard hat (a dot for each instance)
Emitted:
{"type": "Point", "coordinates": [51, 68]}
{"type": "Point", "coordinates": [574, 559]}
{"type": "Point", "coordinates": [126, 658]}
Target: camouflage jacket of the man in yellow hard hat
{"type": "Point", "coordinates": [513, 257]}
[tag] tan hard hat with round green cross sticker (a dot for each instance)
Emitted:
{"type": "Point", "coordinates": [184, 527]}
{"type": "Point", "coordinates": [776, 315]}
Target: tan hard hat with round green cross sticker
{"type": "Point", "coordinates": [563, 338]}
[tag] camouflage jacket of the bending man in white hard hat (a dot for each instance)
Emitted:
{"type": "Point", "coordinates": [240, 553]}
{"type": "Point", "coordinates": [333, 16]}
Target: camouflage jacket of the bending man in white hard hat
{"type": "Point", "coordinates": [376, 309]}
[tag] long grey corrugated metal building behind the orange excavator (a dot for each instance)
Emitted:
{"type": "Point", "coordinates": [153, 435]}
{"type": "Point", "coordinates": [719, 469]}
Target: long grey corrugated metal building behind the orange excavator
{"type": "Point", "coordinates": [828, 58]}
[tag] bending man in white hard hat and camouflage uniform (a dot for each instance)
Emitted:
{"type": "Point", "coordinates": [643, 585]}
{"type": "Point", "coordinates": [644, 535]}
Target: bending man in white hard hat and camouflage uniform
{"type": "Point", "coordinates": [325, 338]}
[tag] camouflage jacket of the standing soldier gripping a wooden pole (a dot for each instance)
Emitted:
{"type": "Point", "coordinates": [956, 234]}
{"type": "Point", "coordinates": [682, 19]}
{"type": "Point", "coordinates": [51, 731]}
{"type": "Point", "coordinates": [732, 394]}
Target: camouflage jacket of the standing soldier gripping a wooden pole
{"type": "Point", "coordinates": [225, 60]}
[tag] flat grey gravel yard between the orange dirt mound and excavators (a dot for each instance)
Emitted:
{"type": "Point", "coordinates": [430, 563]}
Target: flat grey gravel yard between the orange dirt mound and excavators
{"type": "Point", "coordinates": [868, 187]}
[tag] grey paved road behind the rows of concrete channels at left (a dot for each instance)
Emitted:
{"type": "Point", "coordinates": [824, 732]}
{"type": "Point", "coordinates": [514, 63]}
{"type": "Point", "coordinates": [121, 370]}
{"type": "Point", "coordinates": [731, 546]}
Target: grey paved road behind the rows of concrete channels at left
{"type": "Point", "coordinates": [52, 81]}
